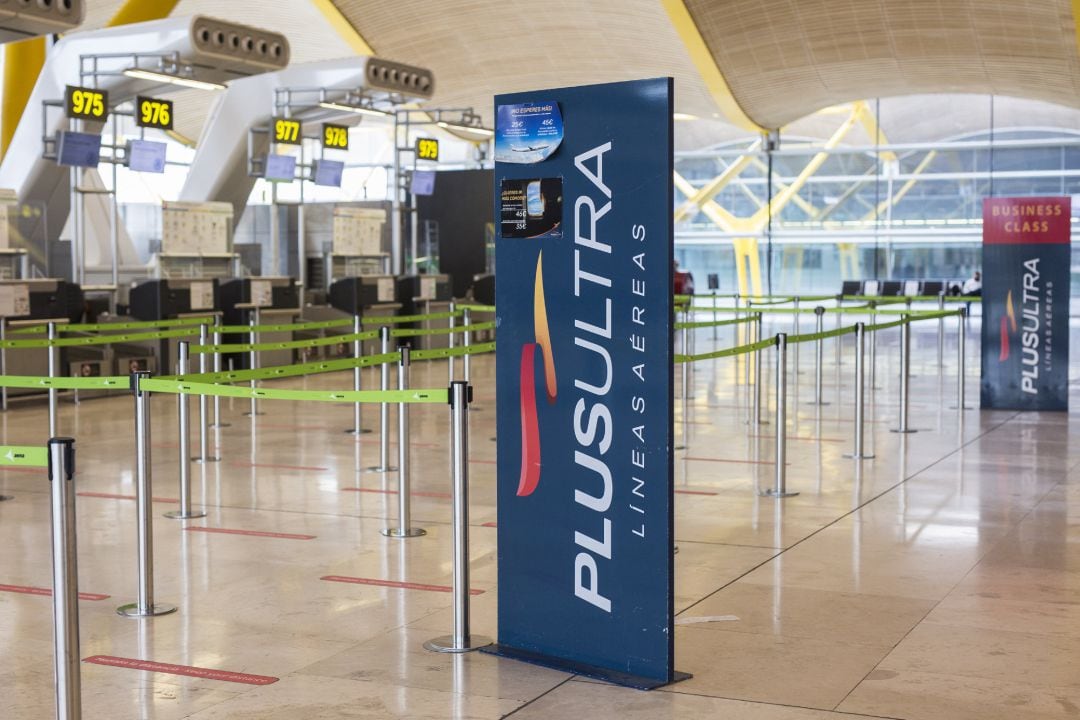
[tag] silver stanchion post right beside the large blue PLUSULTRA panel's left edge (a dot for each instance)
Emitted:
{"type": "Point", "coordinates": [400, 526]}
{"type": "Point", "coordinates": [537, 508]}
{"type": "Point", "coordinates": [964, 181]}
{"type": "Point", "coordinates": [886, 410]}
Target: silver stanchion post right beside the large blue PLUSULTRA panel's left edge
{"type": "Point", "coordinates": [462, 640]}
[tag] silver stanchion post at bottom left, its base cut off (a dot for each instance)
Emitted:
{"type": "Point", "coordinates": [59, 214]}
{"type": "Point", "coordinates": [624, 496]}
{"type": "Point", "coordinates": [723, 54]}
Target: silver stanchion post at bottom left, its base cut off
{"type": "Point", "coordinates": [67, 658]}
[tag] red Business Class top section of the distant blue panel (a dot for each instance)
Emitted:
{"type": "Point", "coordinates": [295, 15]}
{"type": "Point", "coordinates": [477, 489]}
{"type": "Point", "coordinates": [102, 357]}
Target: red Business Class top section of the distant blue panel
{"type": "Point", "coordinates": [1025, 221]}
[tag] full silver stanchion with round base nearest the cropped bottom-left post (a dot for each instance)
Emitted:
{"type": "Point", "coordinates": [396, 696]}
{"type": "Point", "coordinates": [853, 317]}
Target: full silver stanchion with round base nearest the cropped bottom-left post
{"type": "Point", "coordinates": [144, 606]}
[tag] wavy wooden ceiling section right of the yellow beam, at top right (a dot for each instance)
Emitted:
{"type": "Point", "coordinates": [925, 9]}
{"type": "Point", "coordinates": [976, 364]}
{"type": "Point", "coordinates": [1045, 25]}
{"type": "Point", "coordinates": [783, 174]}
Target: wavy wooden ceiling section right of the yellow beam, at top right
{"type": "Point", "coordinates": [787, 59]}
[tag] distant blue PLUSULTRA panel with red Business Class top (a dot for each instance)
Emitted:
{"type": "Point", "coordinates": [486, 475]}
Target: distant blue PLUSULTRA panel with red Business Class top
{"type": "Point", "coordinates": [1027, 278]}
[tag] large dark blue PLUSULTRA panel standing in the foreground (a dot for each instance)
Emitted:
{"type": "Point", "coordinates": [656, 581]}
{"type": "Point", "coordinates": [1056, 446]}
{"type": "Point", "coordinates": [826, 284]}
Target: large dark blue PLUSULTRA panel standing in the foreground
{"type": "Point", "coordinates": [585, 371]}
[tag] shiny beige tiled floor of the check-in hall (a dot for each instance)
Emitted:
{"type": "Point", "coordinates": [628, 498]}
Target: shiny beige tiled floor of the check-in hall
{"type": "Point", "coordinates": [938, 581]}
